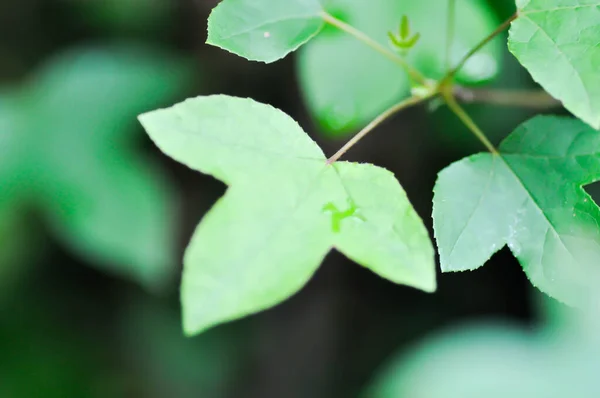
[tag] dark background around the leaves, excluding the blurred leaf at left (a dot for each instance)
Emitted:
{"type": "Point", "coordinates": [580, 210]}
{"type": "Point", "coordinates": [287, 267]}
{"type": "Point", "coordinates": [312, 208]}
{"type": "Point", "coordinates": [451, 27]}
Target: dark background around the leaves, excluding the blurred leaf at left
{"type": "Point", "coordinates": [68, 330]}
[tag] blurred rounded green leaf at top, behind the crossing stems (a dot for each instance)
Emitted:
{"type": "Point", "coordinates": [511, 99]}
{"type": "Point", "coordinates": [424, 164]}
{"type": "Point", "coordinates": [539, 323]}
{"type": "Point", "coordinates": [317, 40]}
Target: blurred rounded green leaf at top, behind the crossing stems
{"type": "Point", "coordinates": [346, 84]}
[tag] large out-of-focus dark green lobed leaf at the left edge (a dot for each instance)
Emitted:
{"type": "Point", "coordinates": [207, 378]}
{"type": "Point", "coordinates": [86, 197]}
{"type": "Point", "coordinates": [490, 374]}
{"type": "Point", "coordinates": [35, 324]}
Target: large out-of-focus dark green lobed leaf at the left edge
{"type": "Point", "coordinates": [67, 152]}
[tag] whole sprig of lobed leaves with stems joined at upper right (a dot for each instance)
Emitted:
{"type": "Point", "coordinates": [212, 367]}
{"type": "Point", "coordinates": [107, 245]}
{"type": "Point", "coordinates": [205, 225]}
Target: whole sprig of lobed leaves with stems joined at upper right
{"type": "Point", "coordinates": [288, 206]}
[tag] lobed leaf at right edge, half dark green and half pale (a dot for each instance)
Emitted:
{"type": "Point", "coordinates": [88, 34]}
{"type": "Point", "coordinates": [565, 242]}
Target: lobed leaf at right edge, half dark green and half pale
{"type": "Point", "coordinates": [529, 197]}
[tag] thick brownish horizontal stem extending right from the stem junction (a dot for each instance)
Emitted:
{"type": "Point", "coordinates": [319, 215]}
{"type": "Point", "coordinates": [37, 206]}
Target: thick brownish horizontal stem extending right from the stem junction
{"type": "Point", "coordinates": [537, 99]}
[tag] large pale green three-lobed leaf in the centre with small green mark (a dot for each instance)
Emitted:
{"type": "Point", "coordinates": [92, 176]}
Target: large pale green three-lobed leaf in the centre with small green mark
{"type": "Point", "coordinates": [284, 211]}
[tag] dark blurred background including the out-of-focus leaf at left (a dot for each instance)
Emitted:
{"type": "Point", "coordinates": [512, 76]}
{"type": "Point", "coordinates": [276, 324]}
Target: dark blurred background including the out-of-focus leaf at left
{"type": "Point", "coordinates": [94, 220]}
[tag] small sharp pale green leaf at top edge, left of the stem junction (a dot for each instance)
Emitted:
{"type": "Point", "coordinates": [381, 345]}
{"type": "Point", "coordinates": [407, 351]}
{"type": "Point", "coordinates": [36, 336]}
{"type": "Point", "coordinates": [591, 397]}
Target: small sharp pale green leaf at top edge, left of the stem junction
{"type": "Point", "coordinates": [263, 30]}
